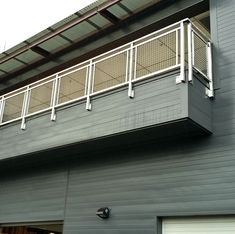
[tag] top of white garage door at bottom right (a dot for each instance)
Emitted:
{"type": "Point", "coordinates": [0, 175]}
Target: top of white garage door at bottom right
{"type": "Point", "coordinates": [203, 225]}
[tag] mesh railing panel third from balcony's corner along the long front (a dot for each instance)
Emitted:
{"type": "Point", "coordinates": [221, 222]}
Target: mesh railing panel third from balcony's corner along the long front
{"type": "Point", "coordinates": [72, 86]}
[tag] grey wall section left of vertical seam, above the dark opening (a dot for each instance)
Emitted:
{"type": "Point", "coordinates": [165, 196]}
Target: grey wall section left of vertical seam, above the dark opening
{"type": "Point", "coordinates": [32, 191]}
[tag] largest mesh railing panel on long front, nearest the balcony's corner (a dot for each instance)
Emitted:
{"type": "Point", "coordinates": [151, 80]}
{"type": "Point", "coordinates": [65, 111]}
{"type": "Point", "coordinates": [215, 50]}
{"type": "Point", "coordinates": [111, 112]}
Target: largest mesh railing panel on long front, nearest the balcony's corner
{"type": "Point", "coordinates": [156, 55]}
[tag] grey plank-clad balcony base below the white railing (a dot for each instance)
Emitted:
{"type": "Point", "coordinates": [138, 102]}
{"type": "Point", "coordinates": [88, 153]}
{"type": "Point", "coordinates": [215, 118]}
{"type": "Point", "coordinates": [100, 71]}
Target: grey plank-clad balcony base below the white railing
{"type": "Point", "coordinates": [159, 109]}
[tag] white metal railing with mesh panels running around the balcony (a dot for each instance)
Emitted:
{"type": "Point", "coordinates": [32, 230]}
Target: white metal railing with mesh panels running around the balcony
{"type": "Point", "coordinates": [178, 46]}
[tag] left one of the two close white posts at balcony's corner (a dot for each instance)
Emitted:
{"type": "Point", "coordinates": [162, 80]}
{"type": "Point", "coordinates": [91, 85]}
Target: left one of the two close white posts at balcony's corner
{"type": "Point", "coordinates": [181, 77]}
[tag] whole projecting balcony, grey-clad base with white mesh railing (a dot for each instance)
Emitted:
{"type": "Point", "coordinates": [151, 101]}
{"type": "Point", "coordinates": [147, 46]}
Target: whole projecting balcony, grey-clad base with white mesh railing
{"type": "Point", "coordinates": [160, 79]}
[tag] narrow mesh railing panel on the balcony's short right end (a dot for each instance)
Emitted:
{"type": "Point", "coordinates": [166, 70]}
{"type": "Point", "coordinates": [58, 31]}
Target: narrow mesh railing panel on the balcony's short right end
{"type": "Point", "coordinates": [200, 54]}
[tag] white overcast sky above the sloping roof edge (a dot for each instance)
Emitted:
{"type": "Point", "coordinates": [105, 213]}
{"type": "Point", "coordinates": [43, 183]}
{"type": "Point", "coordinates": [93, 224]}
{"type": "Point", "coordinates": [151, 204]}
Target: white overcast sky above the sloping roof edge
{"type": "Point", "coordinates": [22, 19]}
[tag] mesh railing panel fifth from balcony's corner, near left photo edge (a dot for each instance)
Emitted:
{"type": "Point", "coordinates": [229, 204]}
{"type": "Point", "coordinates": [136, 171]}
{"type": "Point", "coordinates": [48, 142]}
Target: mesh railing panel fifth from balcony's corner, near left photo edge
{"type": "Point", "coordinates": [13, 107]}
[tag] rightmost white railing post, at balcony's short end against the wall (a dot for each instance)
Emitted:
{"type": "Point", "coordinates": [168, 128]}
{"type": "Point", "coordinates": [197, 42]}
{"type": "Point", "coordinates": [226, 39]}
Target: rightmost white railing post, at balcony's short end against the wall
{"type": "Point", "coordinates": [210, 91]}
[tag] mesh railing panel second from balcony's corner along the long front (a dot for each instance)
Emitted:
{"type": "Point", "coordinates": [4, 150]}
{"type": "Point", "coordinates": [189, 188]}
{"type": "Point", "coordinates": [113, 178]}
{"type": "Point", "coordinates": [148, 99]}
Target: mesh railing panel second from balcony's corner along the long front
{"type": "Point", "coordinates": [110, 72]}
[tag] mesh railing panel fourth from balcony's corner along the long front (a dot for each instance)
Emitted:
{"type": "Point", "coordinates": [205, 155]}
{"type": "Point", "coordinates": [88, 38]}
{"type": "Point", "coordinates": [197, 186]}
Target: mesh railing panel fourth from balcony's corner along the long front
{"type": "Point", "coordinates": [40, 97]}
